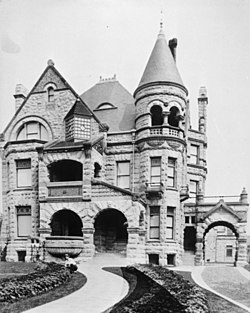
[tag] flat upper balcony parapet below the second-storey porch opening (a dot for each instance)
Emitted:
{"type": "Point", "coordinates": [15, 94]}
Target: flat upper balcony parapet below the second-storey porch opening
{"type": "Point", "coordinates": [64, 189]}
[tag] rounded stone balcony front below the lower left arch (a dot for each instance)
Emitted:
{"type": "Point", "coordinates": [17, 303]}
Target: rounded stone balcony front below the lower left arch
{"type": "Point", "coordinates": [58, 246]}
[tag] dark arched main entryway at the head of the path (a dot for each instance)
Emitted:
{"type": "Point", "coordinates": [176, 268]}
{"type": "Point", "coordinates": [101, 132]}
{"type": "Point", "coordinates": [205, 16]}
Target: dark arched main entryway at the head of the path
{"type": "Point", "coordinates": [111, 231]}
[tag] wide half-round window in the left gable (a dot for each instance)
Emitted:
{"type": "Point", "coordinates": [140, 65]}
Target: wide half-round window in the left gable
{"type": "Point", "coordinates": [32, 130]}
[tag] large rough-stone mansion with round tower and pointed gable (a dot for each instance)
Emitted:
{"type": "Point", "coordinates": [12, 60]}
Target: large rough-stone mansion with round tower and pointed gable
{"type": "Point", "coordinates": [107, 171]}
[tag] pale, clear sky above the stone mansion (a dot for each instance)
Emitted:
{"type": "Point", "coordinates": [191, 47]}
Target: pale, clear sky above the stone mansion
{"type": "Point", "coordinates": [91, 38]}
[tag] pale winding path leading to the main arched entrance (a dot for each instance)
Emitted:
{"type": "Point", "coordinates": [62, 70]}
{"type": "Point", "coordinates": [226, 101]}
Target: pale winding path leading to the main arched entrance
{"type": "Point", "coordinates": [101, 291]}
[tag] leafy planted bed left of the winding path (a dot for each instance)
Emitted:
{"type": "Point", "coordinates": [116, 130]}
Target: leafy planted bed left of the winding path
{"type": "Point", "coordinates": [24, 286]}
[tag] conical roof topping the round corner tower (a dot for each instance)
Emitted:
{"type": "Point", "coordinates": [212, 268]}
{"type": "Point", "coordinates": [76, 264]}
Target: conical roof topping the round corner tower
{"type": "Point", "coordinates": [161, 66]}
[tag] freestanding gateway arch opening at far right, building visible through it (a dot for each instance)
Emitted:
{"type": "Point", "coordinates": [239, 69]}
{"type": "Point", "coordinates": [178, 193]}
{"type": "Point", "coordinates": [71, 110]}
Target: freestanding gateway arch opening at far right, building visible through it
{"type": "Point", "coordinates": [220, 244]}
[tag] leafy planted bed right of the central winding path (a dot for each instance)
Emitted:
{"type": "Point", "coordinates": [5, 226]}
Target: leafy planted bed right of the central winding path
{"type": "Point", "coordinates": [188, 295]}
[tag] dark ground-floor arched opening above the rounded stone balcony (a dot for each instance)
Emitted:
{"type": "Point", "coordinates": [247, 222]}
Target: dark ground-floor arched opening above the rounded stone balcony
{"type": "Point", "coordinates": [66, 223]}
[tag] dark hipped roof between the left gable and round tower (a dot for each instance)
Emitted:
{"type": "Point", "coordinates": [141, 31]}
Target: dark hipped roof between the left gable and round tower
{"type": "Point", "coordinates": [121, 115]}
